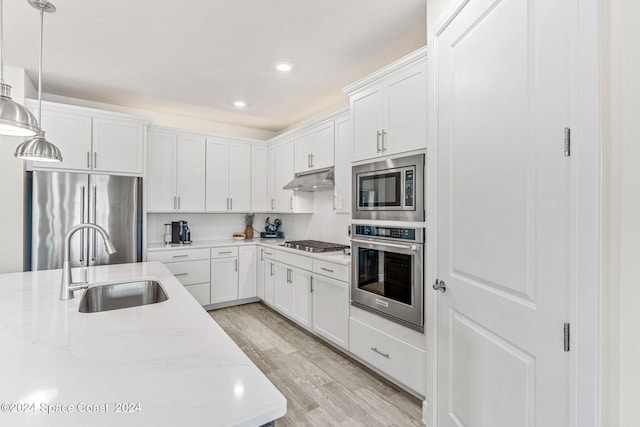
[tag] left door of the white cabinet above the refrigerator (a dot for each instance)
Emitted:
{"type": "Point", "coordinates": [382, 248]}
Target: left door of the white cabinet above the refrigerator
{"type": "Point", "coordinates": [71, 133]}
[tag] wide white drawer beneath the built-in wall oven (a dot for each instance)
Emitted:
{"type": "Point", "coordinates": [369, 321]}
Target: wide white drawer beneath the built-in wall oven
{"type": "Point", "coordinates": [396, 358]}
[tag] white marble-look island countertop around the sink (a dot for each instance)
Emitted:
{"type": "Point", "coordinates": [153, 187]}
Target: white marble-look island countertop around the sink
{"type": "Point", "coordinates": [161, 364]}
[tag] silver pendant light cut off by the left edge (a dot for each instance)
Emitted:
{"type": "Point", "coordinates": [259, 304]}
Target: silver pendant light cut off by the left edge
{"type": "Point", "coordinates": [15, 119]}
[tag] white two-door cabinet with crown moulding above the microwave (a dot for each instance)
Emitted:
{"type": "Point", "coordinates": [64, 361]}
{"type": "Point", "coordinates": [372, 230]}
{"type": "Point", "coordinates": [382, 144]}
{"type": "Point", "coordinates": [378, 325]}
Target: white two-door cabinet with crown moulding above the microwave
{"type": "Point", "coordinates": [389, 109]}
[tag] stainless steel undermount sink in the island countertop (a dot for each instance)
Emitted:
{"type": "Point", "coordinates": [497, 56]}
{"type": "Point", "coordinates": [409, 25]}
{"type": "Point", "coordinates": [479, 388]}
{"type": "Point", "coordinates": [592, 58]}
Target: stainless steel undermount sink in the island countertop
{"type": "Point", "coordinates": [114, 296]}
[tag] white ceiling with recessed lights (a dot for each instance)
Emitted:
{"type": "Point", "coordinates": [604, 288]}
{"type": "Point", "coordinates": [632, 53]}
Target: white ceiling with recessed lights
{"type": "Point", "coordinates": [195, 57]}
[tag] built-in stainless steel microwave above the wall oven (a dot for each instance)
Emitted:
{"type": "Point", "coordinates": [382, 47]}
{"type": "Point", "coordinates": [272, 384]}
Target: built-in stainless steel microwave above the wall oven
{"type": "Point", "coordinates": [390, 189]}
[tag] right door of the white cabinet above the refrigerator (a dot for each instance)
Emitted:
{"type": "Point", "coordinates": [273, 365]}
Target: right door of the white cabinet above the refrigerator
{"type": "Point", "coordinates": [117, 145]}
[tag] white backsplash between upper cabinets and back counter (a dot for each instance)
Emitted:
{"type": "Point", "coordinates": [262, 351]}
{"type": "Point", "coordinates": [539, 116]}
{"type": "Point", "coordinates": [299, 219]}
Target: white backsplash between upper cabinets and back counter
{"type": "Point", "coordinates": [323, 224]}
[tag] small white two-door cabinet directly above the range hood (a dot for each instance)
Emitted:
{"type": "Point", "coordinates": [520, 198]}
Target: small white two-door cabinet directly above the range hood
{"type": "Point", "coordinates": [314, 148]}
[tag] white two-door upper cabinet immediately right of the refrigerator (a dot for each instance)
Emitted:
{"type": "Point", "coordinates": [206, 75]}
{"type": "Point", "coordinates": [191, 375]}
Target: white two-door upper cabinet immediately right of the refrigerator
{"type": "Point", "coordinates": [175, 172]}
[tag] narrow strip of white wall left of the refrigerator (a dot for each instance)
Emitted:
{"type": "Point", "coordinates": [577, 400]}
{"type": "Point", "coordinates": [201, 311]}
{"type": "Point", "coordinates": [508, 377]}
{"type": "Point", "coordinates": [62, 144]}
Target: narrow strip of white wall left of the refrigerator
{"type": "Point", "coordinates": [11, 176]}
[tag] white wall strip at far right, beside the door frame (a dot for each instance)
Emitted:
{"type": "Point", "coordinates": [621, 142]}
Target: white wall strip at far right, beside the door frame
{"type": "Point", "coordinates": [621, 214]}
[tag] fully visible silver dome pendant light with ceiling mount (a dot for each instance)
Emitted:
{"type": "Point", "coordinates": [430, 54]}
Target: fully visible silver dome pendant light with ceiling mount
{"type": "Point", "coordinates": [39, 148]}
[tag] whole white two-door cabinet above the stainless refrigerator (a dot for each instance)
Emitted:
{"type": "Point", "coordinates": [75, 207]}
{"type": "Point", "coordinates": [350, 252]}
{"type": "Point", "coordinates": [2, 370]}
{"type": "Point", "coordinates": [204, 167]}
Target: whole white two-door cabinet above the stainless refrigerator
{"type": "Point", "coordinates": [93, 140]}
